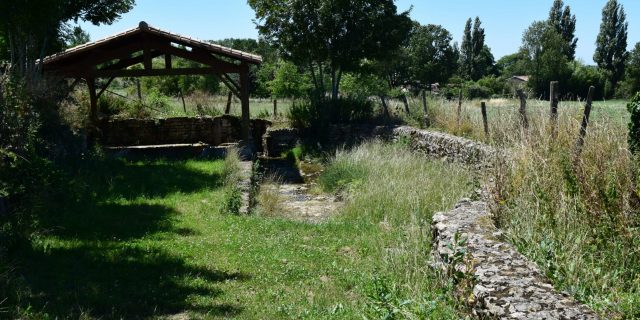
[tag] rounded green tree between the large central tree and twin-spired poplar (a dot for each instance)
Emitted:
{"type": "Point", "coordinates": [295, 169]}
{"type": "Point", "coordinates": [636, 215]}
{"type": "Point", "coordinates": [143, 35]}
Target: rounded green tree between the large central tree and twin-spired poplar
{"type": "Point", "coordinates": [432, 57]}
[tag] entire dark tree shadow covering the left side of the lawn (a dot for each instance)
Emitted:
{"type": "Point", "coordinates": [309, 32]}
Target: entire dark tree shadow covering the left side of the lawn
{"type": "Point", "coordinates": [103, 271]}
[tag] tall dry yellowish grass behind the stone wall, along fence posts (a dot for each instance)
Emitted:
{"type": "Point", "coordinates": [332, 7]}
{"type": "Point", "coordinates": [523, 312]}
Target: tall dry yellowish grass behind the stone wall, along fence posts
{"type": "Point", "coordinates": [569, 214]}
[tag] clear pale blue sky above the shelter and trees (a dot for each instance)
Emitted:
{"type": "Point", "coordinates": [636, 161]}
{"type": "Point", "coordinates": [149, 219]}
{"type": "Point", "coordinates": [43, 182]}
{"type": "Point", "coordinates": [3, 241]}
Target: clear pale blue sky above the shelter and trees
{"type": "Point", "coordinates": [503, 20]}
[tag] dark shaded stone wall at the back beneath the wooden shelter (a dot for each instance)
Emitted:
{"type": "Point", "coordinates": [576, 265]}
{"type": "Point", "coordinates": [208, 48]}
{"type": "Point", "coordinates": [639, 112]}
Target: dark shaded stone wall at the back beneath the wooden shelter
{"type": "Point", "coordinates": [213, 131]}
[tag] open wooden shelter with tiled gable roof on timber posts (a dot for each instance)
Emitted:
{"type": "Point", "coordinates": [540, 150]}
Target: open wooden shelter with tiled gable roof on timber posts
{"type": "Point", "coordinates": [112, 57]}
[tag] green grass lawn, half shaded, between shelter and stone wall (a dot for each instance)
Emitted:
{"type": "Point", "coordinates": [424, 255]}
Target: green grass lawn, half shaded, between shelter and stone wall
{"type": "Point", "coordinates": [147, 240]}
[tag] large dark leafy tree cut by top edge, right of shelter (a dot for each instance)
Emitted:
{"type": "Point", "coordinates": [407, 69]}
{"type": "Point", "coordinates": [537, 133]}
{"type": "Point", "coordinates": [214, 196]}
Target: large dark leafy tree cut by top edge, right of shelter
{"type": "Point", "coordinates": [335, 34]}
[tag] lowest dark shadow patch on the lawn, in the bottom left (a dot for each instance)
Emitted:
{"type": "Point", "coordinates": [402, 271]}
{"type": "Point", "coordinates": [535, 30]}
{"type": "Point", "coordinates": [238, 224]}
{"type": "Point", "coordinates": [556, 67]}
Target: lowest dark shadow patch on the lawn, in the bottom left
{"type": "Point", "coordinates": [118, 282]}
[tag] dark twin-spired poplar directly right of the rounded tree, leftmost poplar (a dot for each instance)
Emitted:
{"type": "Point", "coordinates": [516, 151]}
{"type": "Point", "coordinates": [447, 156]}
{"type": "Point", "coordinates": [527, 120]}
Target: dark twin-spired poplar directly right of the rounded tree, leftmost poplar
{"type": "Point", "coordinates": [476, 59]}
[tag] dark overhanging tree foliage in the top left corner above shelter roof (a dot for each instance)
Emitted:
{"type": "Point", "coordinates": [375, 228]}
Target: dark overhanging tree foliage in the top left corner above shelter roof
{"type": "Point", "coordinates": [35, 28]}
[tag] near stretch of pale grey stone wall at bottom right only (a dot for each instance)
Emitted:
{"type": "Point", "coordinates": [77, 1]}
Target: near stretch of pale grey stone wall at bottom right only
{"type": "Point", "coordinates": [507, 285]}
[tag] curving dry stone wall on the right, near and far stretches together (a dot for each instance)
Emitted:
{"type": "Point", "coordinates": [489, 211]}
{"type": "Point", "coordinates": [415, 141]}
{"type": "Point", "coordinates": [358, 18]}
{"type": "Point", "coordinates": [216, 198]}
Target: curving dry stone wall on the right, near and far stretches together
{"type": "Point", "coordinates": [507, 285]}
